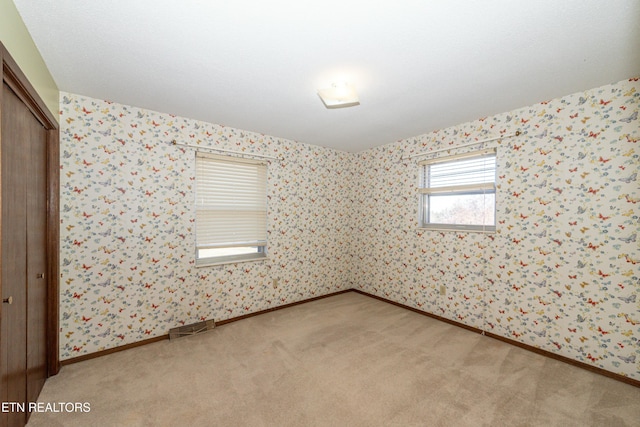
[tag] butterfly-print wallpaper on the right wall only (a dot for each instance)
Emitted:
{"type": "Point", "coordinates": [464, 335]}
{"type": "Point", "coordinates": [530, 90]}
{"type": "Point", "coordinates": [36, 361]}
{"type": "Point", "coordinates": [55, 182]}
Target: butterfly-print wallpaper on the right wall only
{"type": "Point", "coordinates": [562, 271]}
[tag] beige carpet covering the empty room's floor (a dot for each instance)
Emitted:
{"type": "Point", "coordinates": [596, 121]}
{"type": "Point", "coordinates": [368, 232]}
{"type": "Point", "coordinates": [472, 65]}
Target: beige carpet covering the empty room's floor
{"type": "Point", "coordinates": [346, 360]}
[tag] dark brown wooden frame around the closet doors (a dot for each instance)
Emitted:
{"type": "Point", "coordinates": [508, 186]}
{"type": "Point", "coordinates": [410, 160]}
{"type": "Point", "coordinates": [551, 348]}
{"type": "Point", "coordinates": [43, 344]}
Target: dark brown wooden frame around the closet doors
{"type": "Point", "coordinates": [18, 82]}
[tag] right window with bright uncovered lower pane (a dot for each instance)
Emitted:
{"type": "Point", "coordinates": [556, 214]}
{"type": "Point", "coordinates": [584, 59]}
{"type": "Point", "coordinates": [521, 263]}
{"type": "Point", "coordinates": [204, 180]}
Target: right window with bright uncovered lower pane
{"type": "Point", "coordinates": [458, 192]}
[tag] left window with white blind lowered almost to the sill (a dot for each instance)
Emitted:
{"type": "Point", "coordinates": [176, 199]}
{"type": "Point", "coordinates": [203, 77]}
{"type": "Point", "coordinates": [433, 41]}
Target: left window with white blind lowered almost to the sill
{"type": "Point", "coordinates": [231, 209]}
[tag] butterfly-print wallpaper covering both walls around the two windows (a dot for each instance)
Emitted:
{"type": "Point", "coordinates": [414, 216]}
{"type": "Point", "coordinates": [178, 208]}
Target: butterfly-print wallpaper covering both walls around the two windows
{"type": "Point", "coordinates": [561, 272]}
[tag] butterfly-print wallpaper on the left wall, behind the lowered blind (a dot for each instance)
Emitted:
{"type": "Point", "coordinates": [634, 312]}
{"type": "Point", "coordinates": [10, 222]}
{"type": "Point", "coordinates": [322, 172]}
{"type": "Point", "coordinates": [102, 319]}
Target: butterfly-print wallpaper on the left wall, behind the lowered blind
{"type": "Point", "coordinates": [127, 226]}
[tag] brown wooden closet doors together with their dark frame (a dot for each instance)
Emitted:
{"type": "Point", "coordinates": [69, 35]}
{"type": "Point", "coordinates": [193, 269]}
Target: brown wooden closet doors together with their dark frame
{"type": "Point", "coordinates": [29, 222]}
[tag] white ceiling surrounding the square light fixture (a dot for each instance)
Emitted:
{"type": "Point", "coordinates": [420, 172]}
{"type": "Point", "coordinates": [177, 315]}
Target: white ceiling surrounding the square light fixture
{"type": "Point", "coordinates": [417, 65]}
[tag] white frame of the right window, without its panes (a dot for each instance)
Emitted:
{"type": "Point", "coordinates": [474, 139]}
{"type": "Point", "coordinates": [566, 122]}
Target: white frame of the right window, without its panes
{"type": "Point", "coordinates": [426, 192]}
